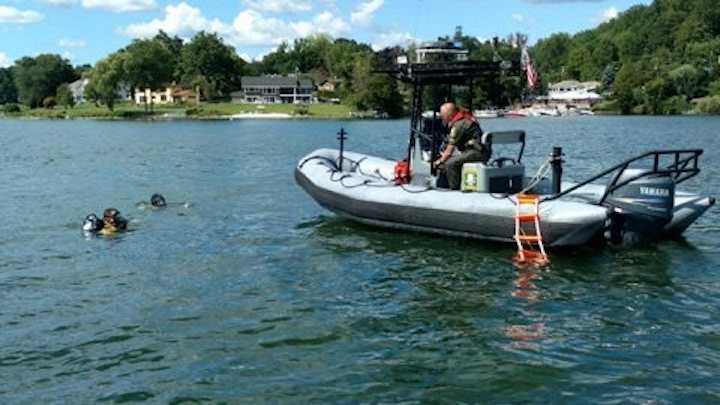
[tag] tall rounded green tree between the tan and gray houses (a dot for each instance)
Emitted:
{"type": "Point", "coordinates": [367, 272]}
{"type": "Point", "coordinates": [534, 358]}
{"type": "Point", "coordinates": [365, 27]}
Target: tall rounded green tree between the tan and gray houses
{"type": "Point", "coordinates": [208, 63]}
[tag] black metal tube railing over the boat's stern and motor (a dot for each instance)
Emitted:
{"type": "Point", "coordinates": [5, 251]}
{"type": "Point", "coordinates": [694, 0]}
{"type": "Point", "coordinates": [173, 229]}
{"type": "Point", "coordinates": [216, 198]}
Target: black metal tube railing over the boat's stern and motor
{"type": "Point", "coordinates": [683, 166]}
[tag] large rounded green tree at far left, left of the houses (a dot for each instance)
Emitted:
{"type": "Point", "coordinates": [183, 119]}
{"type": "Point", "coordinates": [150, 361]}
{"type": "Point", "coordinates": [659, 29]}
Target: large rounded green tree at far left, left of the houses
{"type": "Point", "coordinates": [39, 77]}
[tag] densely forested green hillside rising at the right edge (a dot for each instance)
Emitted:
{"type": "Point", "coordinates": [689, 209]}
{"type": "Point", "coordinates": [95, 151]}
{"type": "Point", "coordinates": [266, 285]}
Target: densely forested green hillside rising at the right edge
{"type": "Point", "coordinates": [652, 59]}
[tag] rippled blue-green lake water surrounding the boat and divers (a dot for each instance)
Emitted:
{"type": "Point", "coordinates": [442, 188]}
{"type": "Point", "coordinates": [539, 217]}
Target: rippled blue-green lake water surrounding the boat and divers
{"type": "Point", "coordinates": [255, 294]}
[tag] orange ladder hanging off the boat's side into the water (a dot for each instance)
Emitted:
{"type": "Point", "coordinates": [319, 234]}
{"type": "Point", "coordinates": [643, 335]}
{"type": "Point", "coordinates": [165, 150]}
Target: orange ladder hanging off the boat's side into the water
{"type": "Point", "coordinates": [529, 239]}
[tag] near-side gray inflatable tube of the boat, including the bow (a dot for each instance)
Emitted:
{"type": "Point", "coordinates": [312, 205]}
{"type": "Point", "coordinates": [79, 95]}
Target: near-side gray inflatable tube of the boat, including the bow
{"type": "Point", "coordinates": [364, 193]}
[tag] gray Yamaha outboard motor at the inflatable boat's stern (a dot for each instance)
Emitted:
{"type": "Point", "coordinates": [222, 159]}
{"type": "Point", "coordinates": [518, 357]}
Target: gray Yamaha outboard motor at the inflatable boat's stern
{"type": "Point", "coordinates": [641, 208]}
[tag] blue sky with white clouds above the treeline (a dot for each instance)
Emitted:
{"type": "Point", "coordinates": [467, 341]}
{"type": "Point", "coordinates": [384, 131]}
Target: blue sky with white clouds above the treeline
{"type": "Point", "coordinates": [85, 31]}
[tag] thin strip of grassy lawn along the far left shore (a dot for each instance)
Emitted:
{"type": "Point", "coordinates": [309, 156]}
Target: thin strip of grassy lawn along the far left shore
{"type": "Point", "coordinates": [204, 110]}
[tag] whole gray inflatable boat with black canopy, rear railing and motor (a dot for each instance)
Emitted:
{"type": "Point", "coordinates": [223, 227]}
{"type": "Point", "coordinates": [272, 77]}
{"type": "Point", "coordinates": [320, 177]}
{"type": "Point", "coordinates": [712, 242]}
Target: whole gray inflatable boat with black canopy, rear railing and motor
{"type": "Point", "coordinates": [635, 199]}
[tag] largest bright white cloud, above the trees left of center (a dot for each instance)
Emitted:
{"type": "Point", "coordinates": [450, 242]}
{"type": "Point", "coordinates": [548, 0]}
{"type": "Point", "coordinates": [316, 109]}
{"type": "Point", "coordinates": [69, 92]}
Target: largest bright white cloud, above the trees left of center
{"type": "Point", "coordinates": [248, 28]}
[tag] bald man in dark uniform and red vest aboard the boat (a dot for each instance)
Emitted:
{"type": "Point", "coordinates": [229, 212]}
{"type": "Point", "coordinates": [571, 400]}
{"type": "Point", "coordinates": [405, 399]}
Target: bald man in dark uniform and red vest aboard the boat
{"type": "Point", "coordinates": [465, 136]}
